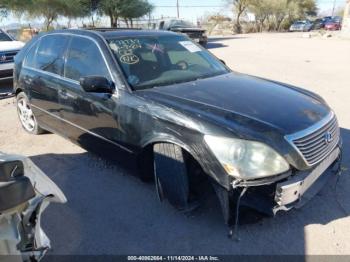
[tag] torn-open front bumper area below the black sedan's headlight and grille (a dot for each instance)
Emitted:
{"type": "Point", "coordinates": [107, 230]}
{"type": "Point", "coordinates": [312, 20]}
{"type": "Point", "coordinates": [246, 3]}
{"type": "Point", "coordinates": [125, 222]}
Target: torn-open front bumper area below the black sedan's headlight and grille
{"type": "Point", "coordinates": [280, 193]}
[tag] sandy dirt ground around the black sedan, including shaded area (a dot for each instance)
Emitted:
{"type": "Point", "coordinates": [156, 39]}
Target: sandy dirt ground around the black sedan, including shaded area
{"type": "Point", "coordinates": [112, 212]}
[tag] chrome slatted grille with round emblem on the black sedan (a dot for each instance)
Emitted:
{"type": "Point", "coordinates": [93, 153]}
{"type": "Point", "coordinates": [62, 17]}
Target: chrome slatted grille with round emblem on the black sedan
{"type": "Point", "coordinates": [319, 143]}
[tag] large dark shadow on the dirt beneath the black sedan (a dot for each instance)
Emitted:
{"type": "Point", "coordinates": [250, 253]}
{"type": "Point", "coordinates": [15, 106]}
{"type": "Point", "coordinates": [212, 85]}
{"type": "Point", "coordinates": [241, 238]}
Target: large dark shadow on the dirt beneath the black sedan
{"type": "Point", "coordinates": [111, 212]}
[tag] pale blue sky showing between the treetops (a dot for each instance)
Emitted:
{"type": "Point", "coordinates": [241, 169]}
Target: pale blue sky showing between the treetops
{"type": "Point", "coordinates": [194, 9]}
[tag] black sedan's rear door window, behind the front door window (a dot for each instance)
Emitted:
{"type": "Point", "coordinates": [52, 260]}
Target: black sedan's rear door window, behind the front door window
{"type": "Point", "coordinates": [50, 54]}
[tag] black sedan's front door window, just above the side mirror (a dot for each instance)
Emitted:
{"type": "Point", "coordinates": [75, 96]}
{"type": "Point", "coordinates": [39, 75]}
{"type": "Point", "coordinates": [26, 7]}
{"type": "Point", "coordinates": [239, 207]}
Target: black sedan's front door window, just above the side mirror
{"type": "Point", "coordinates": [84, 59]}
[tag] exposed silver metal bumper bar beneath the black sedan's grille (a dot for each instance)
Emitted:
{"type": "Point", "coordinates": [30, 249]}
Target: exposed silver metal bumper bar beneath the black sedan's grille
{"type": "Point", "coordinates": [300, 188]}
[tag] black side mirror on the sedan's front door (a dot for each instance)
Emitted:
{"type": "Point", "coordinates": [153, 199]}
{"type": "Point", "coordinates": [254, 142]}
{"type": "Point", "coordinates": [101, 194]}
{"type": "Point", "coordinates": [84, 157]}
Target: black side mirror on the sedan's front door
{"type": "Point", "coordinates": [96, 84]}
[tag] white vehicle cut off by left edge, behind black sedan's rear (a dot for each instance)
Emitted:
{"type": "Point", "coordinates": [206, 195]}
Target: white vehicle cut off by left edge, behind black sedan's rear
{"type": "Point", "coordinates": [9, 47]}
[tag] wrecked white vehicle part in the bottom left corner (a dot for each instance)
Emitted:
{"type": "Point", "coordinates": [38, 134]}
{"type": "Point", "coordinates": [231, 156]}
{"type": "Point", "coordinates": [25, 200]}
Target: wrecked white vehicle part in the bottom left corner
{"type": "Point", "coordinates": [21, 235]}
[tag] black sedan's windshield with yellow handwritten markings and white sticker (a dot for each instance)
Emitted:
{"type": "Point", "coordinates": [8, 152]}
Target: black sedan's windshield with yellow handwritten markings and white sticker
{"type": "Point", "coordinates": [163, 60]}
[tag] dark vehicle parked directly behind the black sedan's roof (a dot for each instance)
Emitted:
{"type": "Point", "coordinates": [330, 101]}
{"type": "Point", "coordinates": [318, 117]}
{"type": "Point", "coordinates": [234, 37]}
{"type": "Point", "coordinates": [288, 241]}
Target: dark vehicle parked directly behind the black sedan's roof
{"type": "Point", "coordinates": [185, 27]}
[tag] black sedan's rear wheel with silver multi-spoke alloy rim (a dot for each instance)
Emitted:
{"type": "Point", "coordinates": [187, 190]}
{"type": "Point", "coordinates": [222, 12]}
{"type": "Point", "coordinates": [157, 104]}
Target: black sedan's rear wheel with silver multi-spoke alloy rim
{"type": "Point", "coordinates": [26, 116]}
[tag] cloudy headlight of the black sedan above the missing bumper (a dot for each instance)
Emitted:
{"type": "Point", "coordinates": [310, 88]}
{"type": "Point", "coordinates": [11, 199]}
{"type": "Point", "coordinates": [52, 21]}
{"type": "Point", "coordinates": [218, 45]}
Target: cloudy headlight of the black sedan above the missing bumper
{"type": "Point", "coordinates": [246, 159]}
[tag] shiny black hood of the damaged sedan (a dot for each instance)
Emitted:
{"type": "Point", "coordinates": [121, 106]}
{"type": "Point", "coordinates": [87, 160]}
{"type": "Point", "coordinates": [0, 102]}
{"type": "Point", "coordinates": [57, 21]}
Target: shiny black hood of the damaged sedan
{"type": "Point", "coordinates": [250, 101]}
